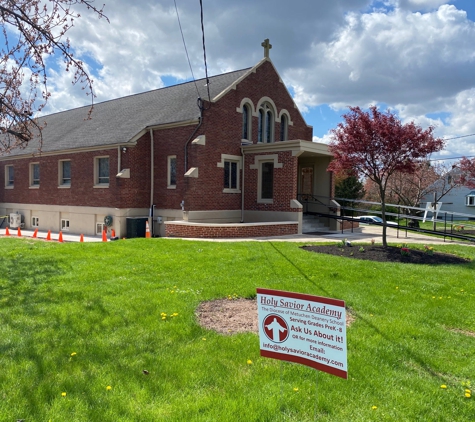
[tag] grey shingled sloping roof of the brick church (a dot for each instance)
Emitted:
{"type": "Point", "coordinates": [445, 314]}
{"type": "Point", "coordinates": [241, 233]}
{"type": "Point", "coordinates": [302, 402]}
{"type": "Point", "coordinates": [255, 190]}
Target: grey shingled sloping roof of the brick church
{"type": "Point", "coordinates": [118, 121]}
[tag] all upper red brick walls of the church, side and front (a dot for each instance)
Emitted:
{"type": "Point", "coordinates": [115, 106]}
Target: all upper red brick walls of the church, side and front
{"type": "Point", "coordinates": [221, 124]}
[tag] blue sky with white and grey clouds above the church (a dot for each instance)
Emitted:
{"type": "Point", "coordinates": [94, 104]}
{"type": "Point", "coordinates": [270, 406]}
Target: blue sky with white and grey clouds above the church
{"type": "Point", "coordinates": [416, 57]}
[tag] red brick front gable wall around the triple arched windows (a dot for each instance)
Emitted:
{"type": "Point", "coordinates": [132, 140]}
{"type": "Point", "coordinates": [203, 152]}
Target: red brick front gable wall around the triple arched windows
{"type": "Point", "coordinates": [222, 126]}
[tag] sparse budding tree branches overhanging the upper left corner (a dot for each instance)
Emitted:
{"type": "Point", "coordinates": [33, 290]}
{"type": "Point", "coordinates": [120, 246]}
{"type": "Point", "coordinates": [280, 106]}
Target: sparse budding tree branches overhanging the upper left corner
{"type": "Point", "coordinates": [33, 30]}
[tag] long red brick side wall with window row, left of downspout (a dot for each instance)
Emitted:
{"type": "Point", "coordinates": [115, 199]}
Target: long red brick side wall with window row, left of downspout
{"type": "Point", "coordinates": [133, 192]}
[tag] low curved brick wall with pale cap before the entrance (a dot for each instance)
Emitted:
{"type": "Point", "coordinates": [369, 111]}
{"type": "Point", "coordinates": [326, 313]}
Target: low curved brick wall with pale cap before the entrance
{"type": "Point", "coordinates": [229, 231]}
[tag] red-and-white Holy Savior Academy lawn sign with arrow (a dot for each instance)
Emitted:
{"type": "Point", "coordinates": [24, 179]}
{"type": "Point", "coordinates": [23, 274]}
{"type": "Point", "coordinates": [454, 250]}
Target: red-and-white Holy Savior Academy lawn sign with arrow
{"type": "Point", "coordinates": [301, 328]}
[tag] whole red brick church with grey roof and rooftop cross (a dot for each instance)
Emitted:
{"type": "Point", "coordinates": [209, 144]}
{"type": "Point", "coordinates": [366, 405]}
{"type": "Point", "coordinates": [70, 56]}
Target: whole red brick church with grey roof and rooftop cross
{"type": "Point", "coordinates": [227, 158]}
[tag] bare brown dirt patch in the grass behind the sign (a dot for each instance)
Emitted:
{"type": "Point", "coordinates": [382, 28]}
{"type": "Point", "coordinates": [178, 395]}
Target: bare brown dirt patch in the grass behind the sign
{"type": "Point", "coordinates": [233, 316]}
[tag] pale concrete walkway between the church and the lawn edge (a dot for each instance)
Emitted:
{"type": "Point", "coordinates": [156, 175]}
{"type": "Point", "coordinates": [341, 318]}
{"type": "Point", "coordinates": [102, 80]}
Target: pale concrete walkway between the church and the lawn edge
{"type": "Point", "coordinates": [363, 234]}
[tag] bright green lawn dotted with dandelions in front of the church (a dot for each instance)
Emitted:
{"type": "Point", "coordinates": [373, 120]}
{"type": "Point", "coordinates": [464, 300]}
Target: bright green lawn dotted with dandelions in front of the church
{"type": "Point", "coordinates": [79, 318]}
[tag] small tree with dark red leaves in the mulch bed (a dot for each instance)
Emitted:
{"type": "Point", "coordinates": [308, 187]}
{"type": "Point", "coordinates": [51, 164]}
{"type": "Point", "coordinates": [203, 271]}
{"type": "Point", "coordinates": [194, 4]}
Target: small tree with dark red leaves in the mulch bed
{"type": "Point", "coordinates": [377, 145]}
